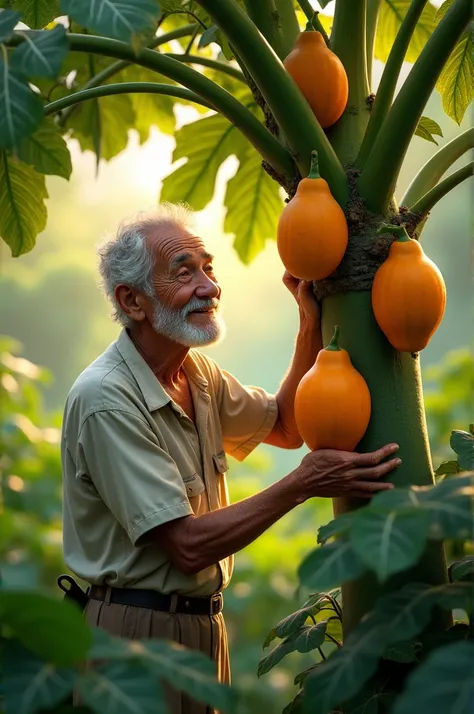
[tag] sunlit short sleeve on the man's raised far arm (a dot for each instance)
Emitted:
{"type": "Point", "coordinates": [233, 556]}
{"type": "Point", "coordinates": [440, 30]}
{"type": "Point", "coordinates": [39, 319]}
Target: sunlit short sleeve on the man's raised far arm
{"type": "Point", "coordinates": [247, 414]}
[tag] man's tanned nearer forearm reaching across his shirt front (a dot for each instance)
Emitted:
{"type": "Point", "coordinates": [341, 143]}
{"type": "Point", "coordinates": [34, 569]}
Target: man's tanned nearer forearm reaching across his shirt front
{"type": "Point", "coordinates": [207, 539]}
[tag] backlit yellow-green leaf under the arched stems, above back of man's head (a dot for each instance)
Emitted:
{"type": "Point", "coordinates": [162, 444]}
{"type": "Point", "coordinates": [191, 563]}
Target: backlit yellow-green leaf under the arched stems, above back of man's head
{"type": "Point", "coordinates": [101, 125]}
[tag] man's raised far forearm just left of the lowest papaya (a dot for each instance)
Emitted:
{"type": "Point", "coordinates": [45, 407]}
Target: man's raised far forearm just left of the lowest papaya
{"type": "Point", "coordinates": [308, 343]}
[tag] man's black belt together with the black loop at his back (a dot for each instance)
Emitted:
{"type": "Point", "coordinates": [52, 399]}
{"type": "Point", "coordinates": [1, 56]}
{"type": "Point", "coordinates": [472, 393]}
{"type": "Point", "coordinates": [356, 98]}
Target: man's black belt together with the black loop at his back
{"type": "Point", "coordinates": [150, 599]}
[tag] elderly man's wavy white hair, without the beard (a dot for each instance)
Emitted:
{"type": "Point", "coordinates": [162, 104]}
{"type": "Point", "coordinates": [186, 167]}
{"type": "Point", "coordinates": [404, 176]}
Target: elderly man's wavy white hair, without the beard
{"type": "Point", "coordinates": [126, 258]}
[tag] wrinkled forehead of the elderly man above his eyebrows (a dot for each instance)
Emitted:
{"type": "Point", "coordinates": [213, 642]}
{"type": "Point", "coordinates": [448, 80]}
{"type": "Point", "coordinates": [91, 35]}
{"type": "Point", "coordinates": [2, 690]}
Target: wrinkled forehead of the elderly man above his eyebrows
{"type": "Point", "coordinates": [174, 245]}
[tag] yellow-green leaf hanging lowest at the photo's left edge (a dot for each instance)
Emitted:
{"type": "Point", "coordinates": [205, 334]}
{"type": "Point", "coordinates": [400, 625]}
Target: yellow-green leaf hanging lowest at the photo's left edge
{"type": "Point", "coordinates": [22, 209]}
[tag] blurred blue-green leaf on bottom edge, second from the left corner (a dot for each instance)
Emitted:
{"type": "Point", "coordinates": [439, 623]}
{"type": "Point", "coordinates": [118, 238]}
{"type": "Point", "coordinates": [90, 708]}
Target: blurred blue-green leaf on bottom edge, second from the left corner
{"type": "Point", "coordinates": [122, 688]}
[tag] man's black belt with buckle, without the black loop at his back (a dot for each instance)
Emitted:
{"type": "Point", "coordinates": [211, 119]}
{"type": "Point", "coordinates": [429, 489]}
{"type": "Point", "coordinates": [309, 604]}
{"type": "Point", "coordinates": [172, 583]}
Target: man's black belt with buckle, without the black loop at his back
{"type": "Point", "coordinates": [154, 600]}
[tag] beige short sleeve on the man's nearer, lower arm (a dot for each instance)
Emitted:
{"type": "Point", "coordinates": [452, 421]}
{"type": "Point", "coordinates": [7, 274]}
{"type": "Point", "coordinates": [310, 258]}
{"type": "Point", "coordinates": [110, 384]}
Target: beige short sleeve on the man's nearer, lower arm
{"type": "Point", "coordinates": [137, 480]}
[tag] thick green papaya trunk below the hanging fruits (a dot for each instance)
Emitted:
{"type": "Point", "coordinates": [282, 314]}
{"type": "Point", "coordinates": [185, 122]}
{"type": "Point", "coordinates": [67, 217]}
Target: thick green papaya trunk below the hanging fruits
{"type": "Point", "coordinates": [398, 415]}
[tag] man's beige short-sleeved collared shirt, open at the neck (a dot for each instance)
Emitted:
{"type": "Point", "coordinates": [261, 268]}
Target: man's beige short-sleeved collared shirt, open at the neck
{"type": "Point", "coordinates": [133, 460]}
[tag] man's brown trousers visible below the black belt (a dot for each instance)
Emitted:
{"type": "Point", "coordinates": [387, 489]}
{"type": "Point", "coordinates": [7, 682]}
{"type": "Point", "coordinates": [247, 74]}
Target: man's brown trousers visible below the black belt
{"type": "Point", "coordinates": [205, 633]}
